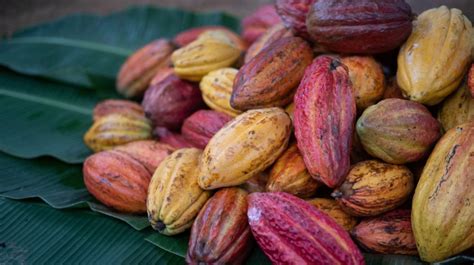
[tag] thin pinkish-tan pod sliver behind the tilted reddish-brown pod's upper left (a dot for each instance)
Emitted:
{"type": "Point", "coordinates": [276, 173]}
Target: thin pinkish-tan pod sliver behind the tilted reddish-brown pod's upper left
{"type": "Point", "coordinates": [271, 35]}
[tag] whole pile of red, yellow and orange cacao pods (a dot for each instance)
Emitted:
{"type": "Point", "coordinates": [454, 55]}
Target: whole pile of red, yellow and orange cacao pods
{"type": "Point", "coordinates": [328, 127]}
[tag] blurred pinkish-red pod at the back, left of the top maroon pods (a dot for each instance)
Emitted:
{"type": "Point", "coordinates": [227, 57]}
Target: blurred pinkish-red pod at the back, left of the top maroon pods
{"type": "Point", "coordinates": [258, 22]}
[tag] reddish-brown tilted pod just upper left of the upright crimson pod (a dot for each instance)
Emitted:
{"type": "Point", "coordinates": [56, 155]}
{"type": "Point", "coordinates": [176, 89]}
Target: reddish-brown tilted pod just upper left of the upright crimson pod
{"type": "Point", "coordinates": [271, 77]}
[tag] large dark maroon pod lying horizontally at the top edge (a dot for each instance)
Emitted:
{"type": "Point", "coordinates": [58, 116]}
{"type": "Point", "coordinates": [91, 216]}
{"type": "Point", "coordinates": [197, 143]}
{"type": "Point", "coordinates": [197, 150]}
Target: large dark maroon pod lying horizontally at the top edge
{"type": "Point", "coordinates": [362, 26]}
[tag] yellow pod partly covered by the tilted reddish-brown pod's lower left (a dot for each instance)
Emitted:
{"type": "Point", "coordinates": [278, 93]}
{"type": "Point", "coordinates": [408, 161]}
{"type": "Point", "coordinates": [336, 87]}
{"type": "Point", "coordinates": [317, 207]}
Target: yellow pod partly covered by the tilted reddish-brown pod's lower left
{"type": "Point", "coordinates": [216, 90]}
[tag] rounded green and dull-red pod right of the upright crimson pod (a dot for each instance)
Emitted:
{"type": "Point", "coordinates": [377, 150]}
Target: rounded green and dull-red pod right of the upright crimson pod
{"type": "Point", "coordinates": [397, 131]}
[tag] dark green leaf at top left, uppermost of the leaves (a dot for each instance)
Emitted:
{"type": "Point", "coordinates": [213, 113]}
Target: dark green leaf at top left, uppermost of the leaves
{"type": "Point", "coordinates": [88, 50]}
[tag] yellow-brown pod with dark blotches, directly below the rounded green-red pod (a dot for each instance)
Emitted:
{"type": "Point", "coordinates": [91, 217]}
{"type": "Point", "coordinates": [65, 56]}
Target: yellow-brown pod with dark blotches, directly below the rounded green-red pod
{"type": "Point", "coordinates": [373, 187]}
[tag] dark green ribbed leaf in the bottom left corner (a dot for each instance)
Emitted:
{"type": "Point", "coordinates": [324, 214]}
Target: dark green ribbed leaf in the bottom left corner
{"type": "Point", "coordinates": [32, 233]}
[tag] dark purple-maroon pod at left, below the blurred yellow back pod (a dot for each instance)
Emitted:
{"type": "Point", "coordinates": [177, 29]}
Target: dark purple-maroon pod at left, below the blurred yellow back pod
{"type": "Point", "coordinates": [171, 101]}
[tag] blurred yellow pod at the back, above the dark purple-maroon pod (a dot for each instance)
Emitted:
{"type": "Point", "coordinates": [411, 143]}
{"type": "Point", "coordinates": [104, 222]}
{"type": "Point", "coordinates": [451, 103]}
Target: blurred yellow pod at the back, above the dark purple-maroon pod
{"type": "Point", "coordinates": [210, 51]}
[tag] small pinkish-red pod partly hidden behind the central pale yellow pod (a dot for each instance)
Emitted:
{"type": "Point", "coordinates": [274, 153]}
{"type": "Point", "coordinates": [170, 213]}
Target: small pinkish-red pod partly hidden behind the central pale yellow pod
{"type": "Point", "coordinates": [199, 128]}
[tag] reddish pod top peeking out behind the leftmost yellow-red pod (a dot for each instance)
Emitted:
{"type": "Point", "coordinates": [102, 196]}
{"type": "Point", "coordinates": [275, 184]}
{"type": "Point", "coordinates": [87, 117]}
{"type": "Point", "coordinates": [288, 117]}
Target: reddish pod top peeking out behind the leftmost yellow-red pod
{"type": "Point", "coordinates": [110, 106]}
